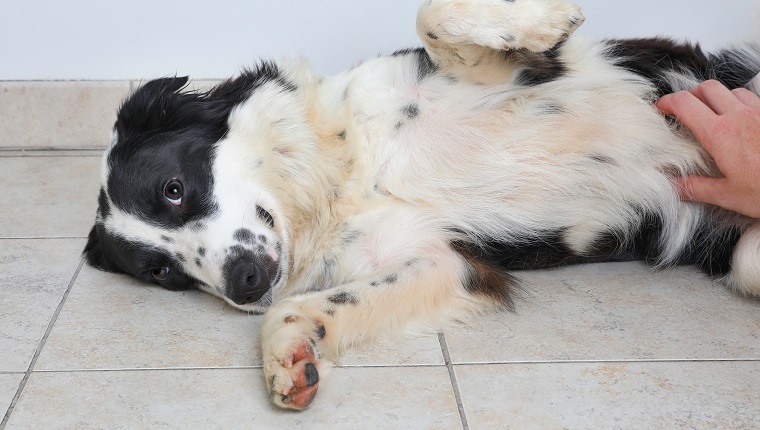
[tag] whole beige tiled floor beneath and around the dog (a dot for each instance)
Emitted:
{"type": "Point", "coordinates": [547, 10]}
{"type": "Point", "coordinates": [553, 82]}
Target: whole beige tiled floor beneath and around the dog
{"type": "Point", "coordinates": [600, 346]}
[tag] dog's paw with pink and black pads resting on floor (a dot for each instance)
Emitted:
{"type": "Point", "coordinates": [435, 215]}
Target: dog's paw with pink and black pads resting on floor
{"type": "Point", "coordinates": [291, 362]}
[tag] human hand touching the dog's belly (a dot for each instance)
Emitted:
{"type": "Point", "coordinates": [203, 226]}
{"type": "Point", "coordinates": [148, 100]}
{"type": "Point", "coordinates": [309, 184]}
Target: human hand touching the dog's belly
{"type": "Point", "coordinates": [727, 123]}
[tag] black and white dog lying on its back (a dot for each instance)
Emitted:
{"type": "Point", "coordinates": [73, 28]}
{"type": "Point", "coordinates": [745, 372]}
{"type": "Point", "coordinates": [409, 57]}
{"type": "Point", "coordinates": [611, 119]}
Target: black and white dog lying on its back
{"type": "Point", "coordinates": [398, 195]}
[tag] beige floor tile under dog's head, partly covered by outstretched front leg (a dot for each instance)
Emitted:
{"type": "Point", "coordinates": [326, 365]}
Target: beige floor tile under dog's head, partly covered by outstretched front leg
{"type": "Point", "coordinates": [115, 322]}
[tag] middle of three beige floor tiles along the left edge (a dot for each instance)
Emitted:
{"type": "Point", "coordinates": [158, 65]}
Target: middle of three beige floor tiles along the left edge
{"type": "Point", "coordinates": [34, 275]}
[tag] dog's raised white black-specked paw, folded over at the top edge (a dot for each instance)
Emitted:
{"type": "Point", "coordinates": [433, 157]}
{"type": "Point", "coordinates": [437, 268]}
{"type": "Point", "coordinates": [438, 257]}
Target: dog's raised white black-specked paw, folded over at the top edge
{"type": "Point", "coordinates": [498, 24]}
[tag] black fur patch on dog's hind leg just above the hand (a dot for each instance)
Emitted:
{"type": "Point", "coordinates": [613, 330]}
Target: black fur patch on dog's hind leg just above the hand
{"type": "Point", "coordinates": [654, 58]}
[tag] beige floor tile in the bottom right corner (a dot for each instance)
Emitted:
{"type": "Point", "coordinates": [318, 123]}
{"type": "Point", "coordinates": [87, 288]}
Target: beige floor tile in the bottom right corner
{"type": "Point", "coordinates": [704, 395]}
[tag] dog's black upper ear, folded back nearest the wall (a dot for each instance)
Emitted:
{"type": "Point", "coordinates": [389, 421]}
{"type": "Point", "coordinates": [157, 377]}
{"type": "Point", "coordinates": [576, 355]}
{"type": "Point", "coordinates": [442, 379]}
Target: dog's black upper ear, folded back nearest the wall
{"type": "Point", "coordinates": [153, 106]}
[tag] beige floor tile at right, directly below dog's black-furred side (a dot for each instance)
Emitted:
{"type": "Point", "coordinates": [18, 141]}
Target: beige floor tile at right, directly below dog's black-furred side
{"type": "Point", "coordinates": [615, 311]}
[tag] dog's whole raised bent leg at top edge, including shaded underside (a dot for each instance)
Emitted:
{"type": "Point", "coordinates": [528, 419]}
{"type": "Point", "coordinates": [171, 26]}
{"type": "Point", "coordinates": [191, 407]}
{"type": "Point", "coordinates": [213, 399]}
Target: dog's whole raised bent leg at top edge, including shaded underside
{"type": "Point", "coordinates": [478, 37]}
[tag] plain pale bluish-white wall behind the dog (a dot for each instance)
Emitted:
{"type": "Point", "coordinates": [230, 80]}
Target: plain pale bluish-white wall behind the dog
{"type": "Point", "coordinates": [118, 39]}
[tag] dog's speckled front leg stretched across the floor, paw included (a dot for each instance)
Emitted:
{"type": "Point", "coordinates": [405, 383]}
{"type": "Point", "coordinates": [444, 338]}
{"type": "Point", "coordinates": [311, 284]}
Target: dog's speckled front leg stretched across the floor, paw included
{"type": "Point", "coordinates": [301, 336]}
